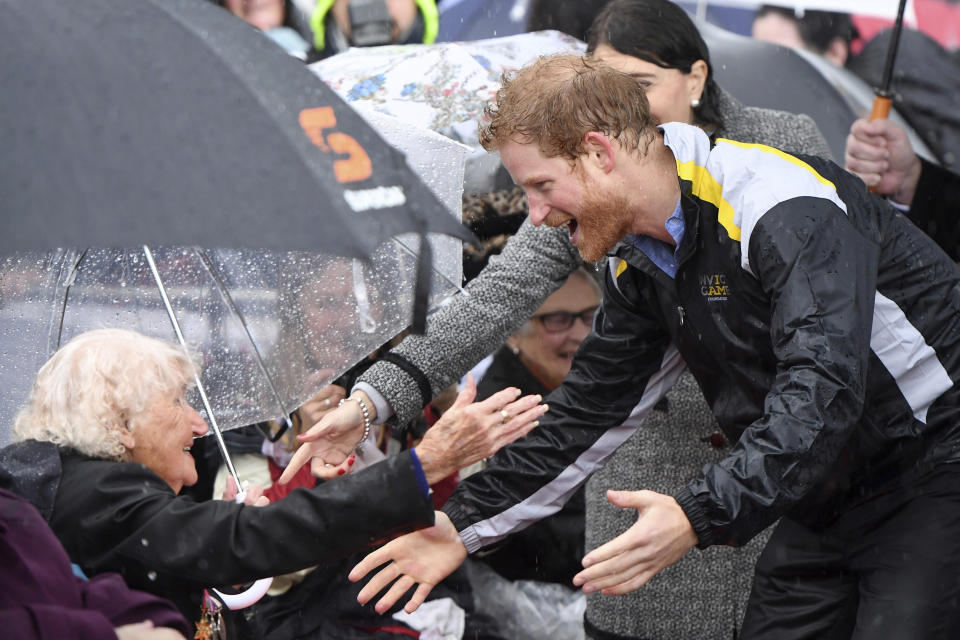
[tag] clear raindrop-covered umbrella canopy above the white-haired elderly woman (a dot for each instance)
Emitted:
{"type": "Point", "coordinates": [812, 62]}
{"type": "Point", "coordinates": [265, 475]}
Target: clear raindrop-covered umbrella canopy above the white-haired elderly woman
{"type": "Point", "coordinates": [268, 329]}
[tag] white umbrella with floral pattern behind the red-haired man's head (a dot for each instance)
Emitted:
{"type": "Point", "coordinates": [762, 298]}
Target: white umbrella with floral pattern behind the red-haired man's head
{"type": "Point", "coordinates": [442, 86]}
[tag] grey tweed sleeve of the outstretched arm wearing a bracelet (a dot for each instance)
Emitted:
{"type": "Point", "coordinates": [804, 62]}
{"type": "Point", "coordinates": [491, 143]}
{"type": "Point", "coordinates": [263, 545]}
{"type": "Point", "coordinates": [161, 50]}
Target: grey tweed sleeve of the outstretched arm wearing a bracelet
{"type": "Point", "coordinates": [534, 263]}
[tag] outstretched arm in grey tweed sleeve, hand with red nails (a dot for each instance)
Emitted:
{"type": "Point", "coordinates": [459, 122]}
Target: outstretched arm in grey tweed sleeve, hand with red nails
{"type": "Point", "coordinates": [534, 264]}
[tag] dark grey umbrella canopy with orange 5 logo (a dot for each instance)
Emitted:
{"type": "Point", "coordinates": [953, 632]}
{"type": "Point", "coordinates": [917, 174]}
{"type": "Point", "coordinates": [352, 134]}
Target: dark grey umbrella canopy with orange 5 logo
{"type": "Point", "coordinates": [171, 122]}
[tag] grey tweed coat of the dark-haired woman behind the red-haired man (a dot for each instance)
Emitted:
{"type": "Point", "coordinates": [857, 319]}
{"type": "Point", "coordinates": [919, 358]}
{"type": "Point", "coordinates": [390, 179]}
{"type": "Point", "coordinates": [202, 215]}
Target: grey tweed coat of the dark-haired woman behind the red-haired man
{"type": "Point", "coordinates": [662, 455]}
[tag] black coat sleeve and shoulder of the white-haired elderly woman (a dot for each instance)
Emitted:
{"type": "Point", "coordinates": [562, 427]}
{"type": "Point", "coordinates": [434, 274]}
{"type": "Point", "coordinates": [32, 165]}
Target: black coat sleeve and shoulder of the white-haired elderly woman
{"type": "Point", "coordinates": [122, 517]}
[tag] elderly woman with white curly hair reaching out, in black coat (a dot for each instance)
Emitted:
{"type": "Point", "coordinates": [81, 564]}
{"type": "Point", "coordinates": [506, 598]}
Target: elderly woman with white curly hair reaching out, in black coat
{"type": "Point", "coordinates": [103, 449]}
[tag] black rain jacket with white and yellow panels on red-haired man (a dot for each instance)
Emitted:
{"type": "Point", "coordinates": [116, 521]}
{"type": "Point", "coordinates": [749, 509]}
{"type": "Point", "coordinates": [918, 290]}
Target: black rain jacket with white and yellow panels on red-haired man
{"type": "Point", "coordinates": [822, 326]}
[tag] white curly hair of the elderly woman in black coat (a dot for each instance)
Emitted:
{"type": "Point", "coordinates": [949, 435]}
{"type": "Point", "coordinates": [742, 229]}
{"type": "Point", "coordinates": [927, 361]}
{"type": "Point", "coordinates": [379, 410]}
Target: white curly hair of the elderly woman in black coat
{"type": "Point", "coordinates": [99, 382]}
